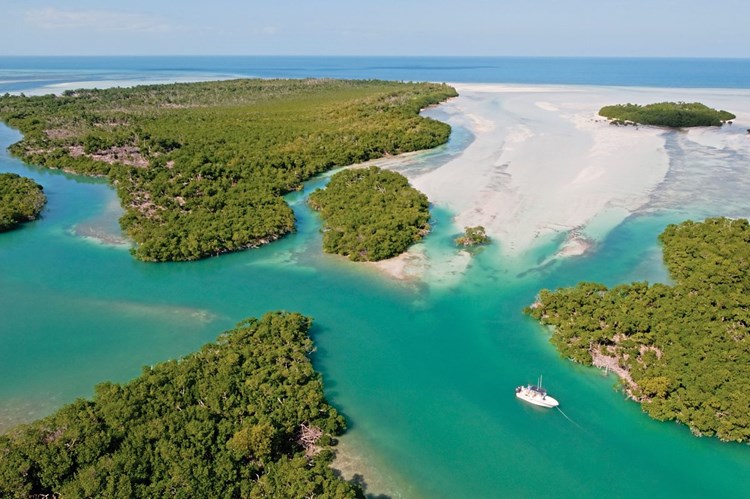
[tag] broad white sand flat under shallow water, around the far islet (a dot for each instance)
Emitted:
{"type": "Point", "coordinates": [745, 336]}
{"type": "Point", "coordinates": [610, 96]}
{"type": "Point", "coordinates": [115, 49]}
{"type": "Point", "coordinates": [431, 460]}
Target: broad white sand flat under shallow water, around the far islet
{"type": "Point", "coordinates": [545, 168]}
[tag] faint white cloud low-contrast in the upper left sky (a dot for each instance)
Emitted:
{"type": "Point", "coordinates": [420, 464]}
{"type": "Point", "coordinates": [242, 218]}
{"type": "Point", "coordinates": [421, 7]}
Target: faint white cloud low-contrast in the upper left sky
{"type": "Point", "coordinates": [51, 18]}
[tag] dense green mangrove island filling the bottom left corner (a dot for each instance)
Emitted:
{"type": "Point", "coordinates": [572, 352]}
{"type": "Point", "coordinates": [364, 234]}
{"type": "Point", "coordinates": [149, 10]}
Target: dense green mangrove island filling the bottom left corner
{"type": "Point", "coordinates": [243, 417]}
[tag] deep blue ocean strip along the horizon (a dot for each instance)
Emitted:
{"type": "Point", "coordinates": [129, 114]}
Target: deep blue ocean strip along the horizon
{"type": "Point", "coordinates": [19, 74]}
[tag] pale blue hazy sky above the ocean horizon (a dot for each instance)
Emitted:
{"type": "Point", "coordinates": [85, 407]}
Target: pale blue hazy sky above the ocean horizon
{"type": "Point", "coordinates": [620, 28]}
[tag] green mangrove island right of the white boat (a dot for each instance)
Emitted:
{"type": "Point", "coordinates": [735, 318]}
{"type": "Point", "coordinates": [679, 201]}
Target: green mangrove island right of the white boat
{"type": "Point", "coordinates": [683, 350]}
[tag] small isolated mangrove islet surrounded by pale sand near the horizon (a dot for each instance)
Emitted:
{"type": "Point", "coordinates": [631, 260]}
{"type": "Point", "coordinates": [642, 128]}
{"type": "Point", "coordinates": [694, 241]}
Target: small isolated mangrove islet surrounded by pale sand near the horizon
{"type": "Point", "coordinates": [671, 114]}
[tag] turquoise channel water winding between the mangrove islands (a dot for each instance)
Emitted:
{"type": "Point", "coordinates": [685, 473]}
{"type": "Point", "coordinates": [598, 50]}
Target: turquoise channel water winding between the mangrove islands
{"type": "Point", "coordinates": [424, 373]}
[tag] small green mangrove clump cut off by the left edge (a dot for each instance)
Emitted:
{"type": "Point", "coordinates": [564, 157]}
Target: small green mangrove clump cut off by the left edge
{"type": "Point", "coordinates": [21, 200]}
